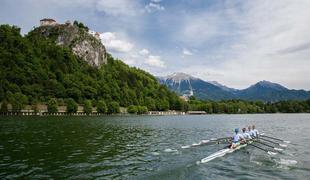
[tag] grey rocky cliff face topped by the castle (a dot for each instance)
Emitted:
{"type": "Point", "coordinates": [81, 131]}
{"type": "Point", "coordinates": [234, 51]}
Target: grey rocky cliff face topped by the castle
{"type": "Point", "coordinates": [82, 44]}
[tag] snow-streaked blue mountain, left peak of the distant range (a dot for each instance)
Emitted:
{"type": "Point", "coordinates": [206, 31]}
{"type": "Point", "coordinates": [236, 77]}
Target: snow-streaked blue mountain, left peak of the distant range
{"type": "Point", "coordinates": [187, 85]}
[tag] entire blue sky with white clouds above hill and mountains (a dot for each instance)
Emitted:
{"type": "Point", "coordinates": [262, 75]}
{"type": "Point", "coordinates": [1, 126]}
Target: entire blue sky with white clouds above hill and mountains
{"type": "Point", "coordinates": [236, 43]}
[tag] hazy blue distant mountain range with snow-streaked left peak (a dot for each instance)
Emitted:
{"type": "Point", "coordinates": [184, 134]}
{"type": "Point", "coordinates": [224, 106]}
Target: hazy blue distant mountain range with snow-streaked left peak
{"type": "Point", "coordinates": [188, 85]}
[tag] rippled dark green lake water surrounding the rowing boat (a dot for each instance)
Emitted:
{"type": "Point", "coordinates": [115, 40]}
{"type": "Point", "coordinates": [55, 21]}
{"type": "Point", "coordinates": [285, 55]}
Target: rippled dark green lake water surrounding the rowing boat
{"type": "Point", "coordinates": [149, 147]}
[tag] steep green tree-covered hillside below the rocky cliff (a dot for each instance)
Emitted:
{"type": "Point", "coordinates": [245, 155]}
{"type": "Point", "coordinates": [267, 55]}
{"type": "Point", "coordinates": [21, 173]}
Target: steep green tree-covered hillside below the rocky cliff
{"type": "Point", "coordinates": [34, 69]}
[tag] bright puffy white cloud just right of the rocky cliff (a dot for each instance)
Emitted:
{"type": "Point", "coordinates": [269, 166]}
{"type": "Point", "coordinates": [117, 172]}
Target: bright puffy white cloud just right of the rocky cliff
{"type": "Point", "coordinates": [112, 43]}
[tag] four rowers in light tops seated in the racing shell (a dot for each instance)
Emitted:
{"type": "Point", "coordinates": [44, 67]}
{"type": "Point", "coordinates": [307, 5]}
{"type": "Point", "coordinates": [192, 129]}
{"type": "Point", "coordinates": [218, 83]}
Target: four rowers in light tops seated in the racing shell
{"type": "Point", "coordinates": [241, 138]}
